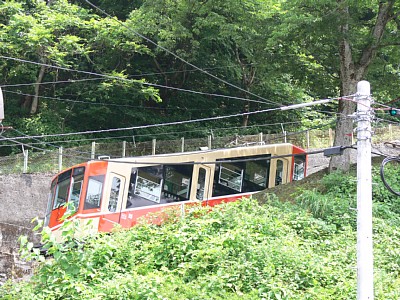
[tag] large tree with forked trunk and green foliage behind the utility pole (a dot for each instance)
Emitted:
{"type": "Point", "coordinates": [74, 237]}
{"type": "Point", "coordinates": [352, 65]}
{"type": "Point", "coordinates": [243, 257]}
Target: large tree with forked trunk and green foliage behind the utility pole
{"type": "Point", "coordinates": [352, 33]}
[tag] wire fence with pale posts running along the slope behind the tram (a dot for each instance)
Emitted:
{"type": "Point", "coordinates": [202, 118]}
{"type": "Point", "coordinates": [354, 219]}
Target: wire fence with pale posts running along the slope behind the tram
{"type": "Point", "coordinates": [53, 161]}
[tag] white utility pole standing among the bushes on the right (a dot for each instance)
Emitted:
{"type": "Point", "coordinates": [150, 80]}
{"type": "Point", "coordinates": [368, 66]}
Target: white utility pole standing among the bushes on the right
{"type": "Point", "coordinates": [365, 268]}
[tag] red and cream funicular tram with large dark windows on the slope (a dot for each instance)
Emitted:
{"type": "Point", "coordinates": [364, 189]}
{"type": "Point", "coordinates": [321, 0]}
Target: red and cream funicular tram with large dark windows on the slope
{"type": "Point", "coordinates": [120, 191]}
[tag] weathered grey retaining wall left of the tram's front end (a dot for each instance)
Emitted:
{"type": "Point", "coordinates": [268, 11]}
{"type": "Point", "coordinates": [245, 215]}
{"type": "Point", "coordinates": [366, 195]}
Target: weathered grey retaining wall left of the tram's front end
{"type": "Point", "coordinates": [22, 198]}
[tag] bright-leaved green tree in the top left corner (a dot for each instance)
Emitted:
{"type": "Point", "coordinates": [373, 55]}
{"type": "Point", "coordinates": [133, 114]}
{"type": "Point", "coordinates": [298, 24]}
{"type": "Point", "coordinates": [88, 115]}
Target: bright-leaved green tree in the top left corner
{"type": "Point", "coordinates": [68, 36]}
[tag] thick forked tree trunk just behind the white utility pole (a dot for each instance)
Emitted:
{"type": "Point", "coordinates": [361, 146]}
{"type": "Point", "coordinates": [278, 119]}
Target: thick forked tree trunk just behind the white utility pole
{"type": "Point", "coordinates": [350, 74]}
